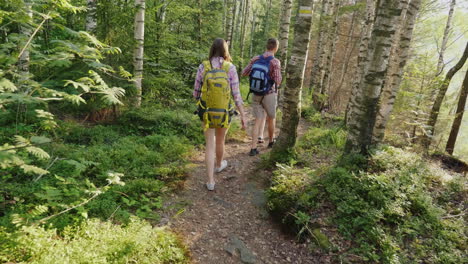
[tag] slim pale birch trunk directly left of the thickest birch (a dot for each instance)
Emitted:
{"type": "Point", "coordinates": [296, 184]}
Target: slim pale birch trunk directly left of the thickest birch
{"type": "Point", "coordinates": [366, 30]}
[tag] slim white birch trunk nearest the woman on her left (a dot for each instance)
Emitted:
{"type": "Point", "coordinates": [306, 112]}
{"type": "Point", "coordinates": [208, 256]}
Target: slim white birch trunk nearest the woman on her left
{"type": "Point", "coordinates": [138, 53]}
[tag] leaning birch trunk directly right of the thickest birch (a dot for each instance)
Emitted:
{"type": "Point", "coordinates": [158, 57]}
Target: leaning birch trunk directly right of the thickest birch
{"type": "Point", "coordinates": [395, 75]}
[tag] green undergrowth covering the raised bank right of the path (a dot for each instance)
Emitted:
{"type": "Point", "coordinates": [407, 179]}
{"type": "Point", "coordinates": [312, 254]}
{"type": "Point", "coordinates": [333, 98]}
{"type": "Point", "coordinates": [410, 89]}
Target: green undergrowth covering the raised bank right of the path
{"type": "Point", "coordinates": [391, 208]}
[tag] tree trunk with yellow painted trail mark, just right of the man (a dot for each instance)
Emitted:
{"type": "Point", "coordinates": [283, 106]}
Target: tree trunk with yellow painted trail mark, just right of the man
{"type": "Point", "coordinates": [295, 73]}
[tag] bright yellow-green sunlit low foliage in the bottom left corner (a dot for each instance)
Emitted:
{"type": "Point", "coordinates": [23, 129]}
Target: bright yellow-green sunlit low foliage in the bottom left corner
{"type": "Point", "coordinates": [137, 242]}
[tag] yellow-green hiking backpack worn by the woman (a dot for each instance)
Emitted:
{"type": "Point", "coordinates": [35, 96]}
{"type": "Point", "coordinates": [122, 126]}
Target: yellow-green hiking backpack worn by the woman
{"type": "Point", "coordinates": [216, 99]}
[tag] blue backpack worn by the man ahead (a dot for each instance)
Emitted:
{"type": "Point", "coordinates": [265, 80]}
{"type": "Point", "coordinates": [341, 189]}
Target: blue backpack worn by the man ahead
{"type": "Point", "coordinates": [260, 81]}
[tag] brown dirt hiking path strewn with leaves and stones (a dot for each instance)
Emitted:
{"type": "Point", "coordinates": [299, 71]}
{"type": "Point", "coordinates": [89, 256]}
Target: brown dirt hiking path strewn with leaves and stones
{"type": "Point", "coordinates": [232, 224]}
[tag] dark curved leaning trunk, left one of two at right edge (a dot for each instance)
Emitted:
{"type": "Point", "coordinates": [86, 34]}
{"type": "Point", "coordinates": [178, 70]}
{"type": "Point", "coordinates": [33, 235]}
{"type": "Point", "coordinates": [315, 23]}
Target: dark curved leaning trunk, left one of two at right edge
{"type": "Point", "coordinates": [441, 95]}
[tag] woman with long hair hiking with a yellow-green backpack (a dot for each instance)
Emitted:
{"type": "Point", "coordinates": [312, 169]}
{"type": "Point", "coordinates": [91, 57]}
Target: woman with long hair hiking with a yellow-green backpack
{"type": "Point", "coordinates": [216, 86]}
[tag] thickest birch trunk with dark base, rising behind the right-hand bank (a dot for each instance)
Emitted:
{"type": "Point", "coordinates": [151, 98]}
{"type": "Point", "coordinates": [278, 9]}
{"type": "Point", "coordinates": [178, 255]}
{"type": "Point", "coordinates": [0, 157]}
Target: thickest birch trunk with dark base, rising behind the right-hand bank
{"type": "Point", "coordinates": [364, 107]}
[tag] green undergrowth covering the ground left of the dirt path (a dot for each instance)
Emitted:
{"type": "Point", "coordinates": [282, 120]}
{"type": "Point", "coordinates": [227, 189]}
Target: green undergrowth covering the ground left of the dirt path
{"type": "Point", "coordinates": [146, 149]}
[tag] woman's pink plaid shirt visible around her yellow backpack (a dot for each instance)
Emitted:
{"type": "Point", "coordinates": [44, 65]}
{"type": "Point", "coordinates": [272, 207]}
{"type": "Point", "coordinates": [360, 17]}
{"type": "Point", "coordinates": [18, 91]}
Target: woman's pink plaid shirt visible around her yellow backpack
{"type": "Point", "coordinates": [217, 62]}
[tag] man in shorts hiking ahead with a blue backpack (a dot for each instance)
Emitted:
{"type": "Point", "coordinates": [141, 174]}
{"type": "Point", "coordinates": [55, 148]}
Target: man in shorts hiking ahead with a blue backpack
{"type": "Point", "coordinates": [265, 79]}
